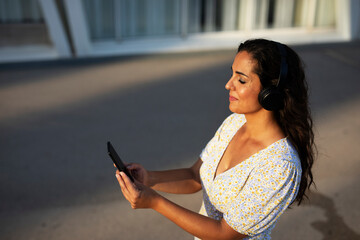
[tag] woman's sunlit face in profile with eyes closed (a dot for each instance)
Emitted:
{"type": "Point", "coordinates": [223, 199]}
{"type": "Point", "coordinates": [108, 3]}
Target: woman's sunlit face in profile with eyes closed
{"type": "Point", "coordinates": [244, 85]}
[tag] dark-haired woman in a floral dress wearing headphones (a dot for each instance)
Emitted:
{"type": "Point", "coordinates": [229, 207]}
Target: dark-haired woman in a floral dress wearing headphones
{"type": "Point", "coordinates": [258, 162]}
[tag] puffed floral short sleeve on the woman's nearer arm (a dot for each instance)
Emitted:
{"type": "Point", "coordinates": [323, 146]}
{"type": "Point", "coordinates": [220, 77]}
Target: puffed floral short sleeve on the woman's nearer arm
{"type": "Point", "coordinates": [268, 191]}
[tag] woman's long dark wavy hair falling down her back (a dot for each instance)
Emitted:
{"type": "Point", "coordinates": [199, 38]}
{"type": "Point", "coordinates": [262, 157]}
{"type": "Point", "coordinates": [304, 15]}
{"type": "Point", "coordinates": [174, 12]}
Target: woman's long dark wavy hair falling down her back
{"type": "Point", "coordinates": [295, 117]}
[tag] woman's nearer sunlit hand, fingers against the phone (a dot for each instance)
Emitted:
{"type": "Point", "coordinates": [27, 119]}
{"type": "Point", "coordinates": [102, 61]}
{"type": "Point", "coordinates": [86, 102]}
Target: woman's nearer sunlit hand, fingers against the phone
{"type": "Point", "coordinates": [138, 195]}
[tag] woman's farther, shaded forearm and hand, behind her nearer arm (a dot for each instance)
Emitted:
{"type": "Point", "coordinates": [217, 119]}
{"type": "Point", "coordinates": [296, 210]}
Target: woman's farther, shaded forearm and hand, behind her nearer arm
{"type": "Point", "coordinates": [179, 181]}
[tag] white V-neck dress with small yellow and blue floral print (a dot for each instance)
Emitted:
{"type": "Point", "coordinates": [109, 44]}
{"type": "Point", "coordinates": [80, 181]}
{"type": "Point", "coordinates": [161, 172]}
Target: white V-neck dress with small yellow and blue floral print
{"type": "Point", "coordinates": [252, 195]}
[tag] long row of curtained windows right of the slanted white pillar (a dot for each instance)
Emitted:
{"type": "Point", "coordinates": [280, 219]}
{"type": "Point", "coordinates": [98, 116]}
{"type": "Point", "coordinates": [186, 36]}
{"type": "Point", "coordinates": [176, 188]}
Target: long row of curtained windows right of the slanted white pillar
{"type": "Point", "coordinates": [127, 19]}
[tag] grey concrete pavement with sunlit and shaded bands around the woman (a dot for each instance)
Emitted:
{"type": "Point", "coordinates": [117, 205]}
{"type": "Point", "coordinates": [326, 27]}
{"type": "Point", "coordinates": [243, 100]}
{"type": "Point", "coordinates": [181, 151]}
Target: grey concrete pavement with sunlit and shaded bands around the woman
{"type": "Point", "coordinates": [56, 181]}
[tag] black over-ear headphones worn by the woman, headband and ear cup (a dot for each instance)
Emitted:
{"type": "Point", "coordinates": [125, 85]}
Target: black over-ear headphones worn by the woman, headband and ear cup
{"type": "Point", "coordinates": [271, 98]}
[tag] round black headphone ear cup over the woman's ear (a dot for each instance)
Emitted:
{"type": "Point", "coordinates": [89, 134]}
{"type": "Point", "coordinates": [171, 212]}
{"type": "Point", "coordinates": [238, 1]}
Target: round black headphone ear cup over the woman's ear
{"type": "Point", "coordinates": [271, 99]}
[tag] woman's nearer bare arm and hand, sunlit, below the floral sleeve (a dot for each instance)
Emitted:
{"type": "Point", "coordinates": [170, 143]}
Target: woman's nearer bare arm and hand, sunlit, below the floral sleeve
{"type": "Point", "coordinates": [198, 225]}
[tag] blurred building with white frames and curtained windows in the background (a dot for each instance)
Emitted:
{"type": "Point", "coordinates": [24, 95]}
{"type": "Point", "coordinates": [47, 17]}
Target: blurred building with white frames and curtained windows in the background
{"type": "Point", "coordinates": [52, 29]}
